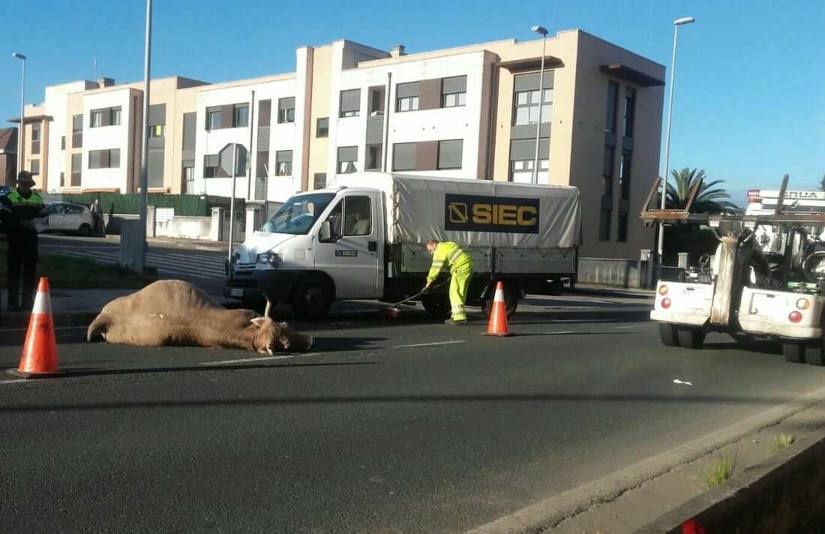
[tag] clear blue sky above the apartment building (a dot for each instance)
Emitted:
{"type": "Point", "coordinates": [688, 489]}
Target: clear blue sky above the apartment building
{"type": "Point", "coordinates": [750, 84]}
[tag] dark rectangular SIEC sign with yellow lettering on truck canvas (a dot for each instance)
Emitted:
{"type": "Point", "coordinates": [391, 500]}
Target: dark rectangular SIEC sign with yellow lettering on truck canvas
{"type": "Point", "coordinates": [477, 213]}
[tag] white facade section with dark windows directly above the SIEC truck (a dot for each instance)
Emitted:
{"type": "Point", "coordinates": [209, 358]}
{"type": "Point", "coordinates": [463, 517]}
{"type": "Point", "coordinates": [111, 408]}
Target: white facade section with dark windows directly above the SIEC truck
{"type": "Point", "coordinates": [413, 126]}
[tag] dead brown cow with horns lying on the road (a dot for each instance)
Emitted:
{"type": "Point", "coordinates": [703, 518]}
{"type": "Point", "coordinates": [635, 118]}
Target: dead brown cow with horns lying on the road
{"type": "Point", "coordinates": [173, 312]}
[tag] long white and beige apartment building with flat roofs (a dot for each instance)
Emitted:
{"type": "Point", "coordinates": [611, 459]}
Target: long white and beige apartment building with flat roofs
{"type": "Point", "coordinates": [469, 112]}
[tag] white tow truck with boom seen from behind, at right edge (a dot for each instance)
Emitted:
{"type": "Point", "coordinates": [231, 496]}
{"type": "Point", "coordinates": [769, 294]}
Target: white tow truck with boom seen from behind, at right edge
{"type": "Point", "coordinates": [766, 280]}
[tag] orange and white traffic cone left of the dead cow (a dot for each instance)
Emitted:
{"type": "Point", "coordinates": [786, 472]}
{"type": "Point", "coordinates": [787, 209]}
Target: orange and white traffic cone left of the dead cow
{"type": "Point", "coordinates": [40, 348]}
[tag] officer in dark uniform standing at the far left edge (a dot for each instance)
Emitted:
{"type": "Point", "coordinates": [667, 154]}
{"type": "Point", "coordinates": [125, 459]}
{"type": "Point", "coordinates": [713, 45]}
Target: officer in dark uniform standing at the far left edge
{"type": "Point", "coordinates": [19, 209]}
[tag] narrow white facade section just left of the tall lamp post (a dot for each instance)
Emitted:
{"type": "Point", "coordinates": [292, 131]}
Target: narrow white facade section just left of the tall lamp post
{"type": "Point", "coordinates": [108, 137]}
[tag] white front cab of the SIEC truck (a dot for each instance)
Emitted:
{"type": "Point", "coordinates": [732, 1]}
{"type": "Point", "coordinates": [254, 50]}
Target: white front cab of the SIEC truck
{"type": "Point", "coordinates": [318, 246]}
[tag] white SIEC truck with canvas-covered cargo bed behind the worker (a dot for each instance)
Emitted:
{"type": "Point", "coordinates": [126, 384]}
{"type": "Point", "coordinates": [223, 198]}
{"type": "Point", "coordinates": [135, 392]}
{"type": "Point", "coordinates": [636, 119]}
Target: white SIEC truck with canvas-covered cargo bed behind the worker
{"type": "Point", "coordinates": [364, 238]}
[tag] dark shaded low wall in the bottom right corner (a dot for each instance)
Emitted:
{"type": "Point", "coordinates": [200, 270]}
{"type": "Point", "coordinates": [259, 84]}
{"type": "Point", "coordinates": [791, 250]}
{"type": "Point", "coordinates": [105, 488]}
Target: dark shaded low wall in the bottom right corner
{"type": "Point", "coordinates": [782, 494]}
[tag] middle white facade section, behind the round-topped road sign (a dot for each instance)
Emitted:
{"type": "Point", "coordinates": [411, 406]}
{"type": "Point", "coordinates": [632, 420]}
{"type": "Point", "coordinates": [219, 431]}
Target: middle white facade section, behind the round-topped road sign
{"type": "Point", "coordinates": [281, 136]}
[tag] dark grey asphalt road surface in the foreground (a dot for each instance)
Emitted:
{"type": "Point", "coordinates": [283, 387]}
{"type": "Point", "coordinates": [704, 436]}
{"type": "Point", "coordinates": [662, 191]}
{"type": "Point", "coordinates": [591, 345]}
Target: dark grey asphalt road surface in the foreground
{"type": "Point", "coordinates": [403, 426]}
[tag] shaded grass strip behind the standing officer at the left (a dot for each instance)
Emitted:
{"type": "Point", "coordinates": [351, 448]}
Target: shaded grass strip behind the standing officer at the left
{"type": "Point", "coordinates": [69, 272]}
